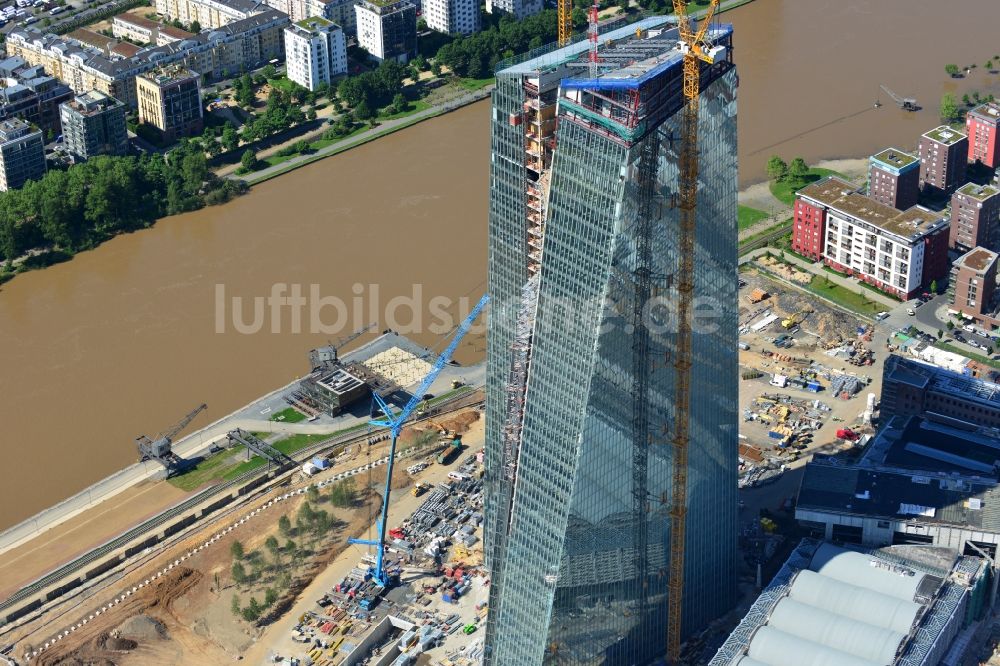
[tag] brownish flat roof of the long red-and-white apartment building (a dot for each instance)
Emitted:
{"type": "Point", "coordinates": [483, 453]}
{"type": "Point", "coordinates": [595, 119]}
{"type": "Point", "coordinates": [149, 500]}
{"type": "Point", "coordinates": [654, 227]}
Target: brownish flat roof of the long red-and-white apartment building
{"type": "Point", "coordinates": [842, 196]}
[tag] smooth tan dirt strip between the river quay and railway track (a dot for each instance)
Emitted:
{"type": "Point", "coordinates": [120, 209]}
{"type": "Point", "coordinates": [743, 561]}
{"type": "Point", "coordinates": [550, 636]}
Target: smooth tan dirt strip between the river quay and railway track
{"type": "Point", "coordinates": [30, 560]}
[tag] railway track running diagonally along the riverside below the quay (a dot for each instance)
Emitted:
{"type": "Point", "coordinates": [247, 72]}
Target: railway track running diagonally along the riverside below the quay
{"type": "Point", "coordinates": [73, 567]}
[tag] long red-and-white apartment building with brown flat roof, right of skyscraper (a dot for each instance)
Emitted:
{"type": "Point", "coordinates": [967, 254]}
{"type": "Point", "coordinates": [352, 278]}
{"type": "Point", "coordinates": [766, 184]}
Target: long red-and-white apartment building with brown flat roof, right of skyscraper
{"type": "Point", "coordinates": [895, 251]}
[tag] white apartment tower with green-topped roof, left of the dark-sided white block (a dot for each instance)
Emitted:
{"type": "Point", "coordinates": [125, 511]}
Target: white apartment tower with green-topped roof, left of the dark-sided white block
{"type": "Point", "coordinates": [315, 51]}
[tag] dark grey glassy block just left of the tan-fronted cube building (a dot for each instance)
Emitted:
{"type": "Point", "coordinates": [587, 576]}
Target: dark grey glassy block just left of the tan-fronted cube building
{"type": "Point", "coordinates": [94, 124]}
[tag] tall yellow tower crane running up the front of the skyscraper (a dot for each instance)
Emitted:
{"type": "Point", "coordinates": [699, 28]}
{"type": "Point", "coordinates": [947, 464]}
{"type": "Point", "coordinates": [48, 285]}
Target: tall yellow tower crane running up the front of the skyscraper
{"type": "Point", "coordinates": [697, 51]}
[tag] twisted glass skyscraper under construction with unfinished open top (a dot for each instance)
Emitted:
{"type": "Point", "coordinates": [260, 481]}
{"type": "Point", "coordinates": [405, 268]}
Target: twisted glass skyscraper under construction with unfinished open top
{"type": "Point", "coordinates": [584, 261]}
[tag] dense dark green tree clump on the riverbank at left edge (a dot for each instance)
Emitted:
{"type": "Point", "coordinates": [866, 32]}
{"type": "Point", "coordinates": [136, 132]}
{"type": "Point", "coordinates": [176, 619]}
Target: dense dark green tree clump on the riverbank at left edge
{"type": "Point", "coordinates": [84, 205]}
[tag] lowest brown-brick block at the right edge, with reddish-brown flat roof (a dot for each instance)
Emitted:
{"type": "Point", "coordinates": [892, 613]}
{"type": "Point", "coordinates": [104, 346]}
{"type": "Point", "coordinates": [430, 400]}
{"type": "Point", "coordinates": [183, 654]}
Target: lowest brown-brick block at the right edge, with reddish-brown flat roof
{"type": "Point", "coordinates": [972, 287]}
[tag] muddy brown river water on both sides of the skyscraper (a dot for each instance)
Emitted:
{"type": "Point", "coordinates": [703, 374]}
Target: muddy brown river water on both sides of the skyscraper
{"type": "Point", "coordinates": [122, 340]}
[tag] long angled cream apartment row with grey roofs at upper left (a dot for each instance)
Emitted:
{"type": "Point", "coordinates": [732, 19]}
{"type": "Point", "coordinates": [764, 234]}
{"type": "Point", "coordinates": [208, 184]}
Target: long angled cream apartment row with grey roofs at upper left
{"type": "Point", "coordinates": [240, 45]}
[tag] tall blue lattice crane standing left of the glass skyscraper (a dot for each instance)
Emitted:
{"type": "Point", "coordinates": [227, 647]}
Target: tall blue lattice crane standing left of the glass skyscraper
{"type": "Point", "coordinates": [394, 422]}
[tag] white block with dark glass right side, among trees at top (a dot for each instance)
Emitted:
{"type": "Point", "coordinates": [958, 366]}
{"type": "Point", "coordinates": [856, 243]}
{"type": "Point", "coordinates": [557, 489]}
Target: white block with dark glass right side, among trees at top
{"type": "Point", "coordinates": [387, 29]}
